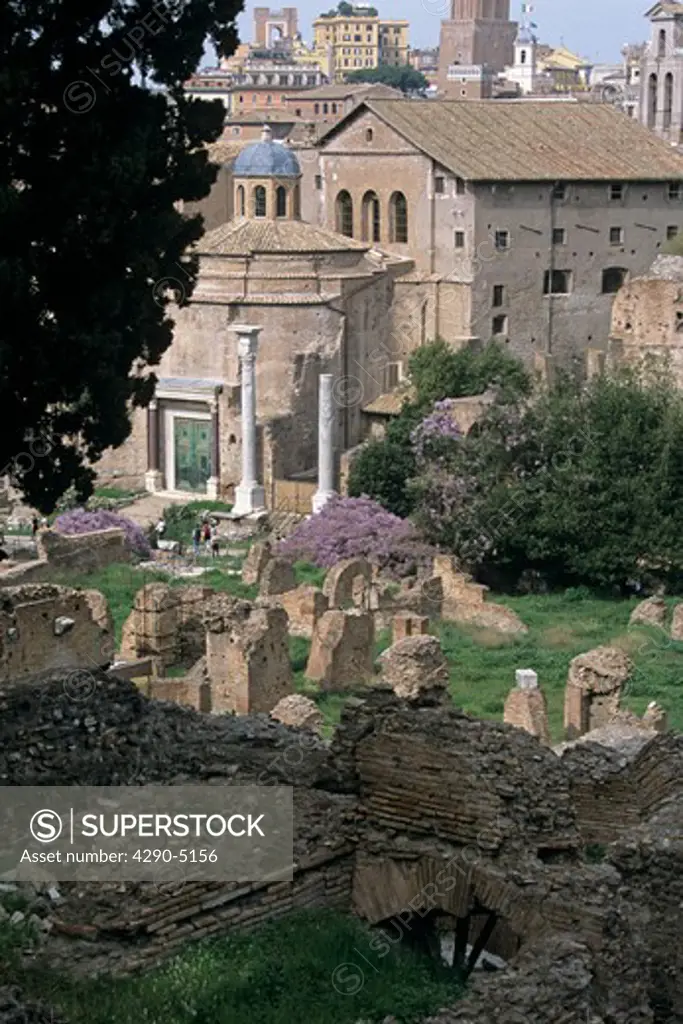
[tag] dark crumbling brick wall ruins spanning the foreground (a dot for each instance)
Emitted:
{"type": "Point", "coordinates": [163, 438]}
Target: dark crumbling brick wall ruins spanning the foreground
{"type": "Point", "coordinates": [415, 809]}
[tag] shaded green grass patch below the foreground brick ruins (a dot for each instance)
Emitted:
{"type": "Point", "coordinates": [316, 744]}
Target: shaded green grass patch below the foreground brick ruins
{"type": "Point", "coordinates": [306, 967]}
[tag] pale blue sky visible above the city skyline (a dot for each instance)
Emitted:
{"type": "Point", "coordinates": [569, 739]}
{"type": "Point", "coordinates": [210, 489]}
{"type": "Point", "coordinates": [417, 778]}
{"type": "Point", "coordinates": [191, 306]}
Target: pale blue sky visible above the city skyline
{"type": "Point", "coordinates": [594, 29]}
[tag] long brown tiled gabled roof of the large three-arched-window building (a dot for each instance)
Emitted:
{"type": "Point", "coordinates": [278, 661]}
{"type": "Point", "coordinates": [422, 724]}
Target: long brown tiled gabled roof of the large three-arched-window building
{"type": "Point", "coordinates": [516, 141]}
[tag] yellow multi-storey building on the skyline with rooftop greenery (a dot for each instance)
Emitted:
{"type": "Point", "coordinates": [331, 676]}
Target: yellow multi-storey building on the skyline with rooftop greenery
{"type": "Point", "coordinates": [354, 42]}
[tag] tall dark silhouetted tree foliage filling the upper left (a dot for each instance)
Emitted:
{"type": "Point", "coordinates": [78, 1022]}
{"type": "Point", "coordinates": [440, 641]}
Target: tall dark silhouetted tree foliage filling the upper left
{"type": "Point", "coordinates": [99, 147]}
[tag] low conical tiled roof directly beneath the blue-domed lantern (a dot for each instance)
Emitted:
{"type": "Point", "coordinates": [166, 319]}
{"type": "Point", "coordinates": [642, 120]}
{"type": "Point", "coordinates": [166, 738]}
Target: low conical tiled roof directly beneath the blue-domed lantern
{"type": "Point", "coordinates": [244, 237]}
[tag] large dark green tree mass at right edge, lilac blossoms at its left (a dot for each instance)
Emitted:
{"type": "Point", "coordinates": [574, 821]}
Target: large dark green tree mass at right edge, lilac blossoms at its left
{"type": "Point", "coordinates": [585, 486]}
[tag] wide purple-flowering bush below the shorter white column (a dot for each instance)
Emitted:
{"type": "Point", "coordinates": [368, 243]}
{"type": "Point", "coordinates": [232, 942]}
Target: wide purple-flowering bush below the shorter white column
{"type": "Point", "coordinates": [350, 528]}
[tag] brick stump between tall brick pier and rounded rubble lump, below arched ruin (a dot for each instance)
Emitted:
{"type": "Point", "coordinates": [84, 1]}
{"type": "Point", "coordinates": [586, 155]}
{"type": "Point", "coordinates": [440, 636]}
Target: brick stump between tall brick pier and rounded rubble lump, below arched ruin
{"type": "Point", "coordinates": [343, 650]}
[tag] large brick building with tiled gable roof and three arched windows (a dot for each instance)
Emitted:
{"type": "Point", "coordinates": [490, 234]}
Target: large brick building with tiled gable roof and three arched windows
{"type": "Point", "coordinates": [519, 228]}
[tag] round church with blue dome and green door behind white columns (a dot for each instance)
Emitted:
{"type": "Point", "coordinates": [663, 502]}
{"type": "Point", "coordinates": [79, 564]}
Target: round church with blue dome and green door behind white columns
{"type": "Point", "coordinates": [323, 303]}
